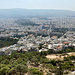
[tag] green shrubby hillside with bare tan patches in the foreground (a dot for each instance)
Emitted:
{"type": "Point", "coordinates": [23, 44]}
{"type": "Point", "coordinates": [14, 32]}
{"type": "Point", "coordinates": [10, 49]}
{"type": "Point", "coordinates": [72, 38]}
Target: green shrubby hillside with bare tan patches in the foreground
{"type": "Point", "coordinates": [35, 63]}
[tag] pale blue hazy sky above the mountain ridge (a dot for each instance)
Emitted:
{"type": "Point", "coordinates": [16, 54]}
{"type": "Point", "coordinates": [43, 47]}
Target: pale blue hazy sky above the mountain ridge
{"type": "Point", "coordinates": [38, 4]}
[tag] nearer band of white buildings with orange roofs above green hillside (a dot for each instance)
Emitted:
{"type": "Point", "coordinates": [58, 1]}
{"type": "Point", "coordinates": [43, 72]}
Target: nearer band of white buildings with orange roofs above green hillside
{"type": "Point", "coordinates": [38, 43]}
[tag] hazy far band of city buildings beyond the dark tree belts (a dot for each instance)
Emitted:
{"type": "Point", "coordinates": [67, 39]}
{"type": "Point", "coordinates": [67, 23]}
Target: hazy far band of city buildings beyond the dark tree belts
{"type": "Point", "coordinates": [9, 27]}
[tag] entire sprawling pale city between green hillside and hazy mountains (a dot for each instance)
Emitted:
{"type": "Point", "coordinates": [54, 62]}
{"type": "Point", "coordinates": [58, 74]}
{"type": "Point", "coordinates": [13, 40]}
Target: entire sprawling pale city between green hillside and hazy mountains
{"type": "Point", "coordinates": [31, 37]}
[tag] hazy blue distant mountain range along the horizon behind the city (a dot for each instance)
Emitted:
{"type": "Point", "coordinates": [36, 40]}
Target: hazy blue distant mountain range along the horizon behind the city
{"type": "Point", "coordinates": [21, 13]}
